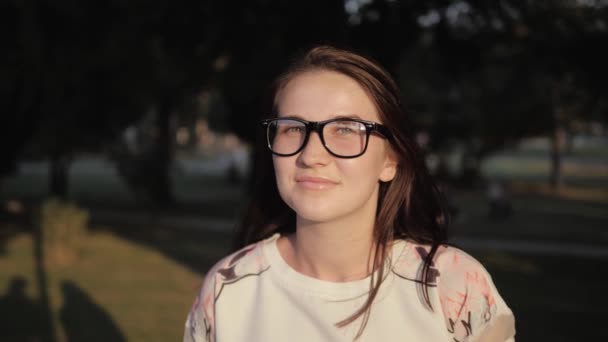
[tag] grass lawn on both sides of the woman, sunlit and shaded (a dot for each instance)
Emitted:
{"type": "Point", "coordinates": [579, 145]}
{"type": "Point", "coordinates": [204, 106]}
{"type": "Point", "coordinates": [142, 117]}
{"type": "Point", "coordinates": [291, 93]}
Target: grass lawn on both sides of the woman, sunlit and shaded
{"type": "Point", "coordinates": [138, 283]}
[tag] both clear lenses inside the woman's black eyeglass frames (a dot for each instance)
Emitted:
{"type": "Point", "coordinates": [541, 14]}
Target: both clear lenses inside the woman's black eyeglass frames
{"type": "Point", "coordinates": [342, 137]}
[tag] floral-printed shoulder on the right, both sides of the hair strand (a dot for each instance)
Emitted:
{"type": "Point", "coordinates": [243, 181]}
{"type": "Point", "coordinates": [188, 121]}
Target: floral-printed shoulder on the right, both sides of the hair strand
{"type": "Point", "coordinates": [471, 306]}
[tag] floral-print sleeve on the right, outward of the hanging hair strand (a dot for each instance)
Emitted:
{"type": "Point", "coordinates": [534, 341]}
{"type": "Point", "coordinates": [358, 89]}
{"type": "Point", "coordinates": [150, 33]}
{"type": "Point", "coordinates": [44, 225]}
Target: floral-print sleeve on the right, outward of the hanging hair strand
{"type": "Point", "coordinates": [472, 307]}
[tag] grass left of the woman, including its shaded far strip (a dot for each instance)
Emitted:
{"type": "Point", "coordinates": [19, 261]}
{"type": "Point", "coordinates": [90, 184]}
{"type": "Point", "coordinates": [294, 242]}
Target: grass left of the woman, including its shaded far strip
{"type": "Point", "coordinates": [118, 287]}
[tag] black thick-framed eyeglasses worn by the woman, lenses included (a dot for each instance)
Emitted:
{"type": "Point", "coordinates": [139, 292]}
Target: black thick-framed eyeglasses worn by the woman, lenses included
{"type": "Point", "coordinates": [341, 137]}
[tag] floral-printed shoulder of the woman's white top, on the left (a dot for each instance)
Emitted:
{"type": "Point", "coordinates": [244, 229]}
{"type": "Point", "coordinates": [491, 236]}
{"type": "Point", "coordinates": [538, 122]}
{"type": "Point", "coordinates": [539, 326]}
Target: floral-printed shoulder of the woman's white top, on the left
{"type": "Point", "coordinates": [247, 261]}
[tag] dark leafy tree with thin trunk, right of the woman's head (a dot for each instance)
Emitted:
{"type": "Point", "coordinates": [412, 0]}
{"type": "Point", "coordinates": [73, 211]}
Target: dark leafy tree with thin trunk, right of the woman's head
{"type": "Point", "coordinates": [496, 71]}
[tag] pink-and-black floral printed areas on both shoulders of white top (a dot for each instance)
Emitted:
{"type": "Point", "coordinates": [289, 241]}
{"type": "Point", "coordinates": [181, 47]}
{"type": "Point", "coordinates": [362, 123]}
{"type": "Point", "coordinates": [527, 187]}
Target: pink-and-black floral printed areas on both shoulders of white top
{"type": "Point", "coordinates": [464, 300]}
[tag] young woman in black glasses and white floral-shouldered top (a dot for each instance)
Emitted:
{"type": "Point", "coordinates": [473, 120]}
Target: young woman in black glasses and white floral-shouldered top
{"type": "Point", "coordinates": [346, 238]}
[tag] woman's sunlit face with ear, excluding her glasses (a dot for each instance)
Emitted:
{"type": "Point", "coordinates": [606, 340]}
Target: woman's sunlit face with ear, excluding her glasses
{"type": "Point", "coordinates": [318, 186]}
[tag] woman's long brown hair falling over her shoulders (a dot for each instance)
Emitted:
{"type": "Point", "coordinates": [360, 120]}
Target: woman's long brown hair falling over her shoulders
{"type": "Point", "coordinates": [409, 207]}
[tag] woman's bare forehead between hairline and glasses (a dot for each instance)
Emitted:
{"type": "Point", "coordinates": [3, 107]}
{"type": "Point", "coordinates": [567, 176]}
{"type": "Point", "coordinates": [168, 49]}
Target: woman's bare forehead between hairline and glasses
{"type": "Point", "coordinates": [322, 95]}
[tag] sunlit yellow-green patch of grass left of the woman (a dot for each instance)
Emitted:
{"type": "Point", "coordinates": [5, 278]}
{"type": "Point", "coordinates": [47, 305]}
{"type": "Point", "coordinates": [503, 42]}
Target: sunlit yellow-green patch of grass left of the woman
{"type": "Point", "coordinates": [146, 294]}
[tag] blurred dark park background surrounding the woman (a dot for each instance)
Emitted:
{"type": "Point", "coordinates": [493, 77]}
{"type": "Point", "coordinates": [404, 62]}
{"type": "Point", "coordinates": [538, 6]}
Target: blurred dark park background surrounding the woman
{"type": "Point", "coordinates": [128, 129]}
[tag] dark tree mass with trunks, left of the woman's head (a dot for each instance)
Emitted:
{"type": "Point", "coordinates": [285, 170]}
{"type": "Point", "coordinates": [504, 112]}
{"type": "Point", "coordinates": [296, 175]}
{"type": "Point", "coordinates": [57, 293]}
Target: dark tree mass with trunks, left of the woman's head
{"type": "Point", "coordinates": [82, 72]}
